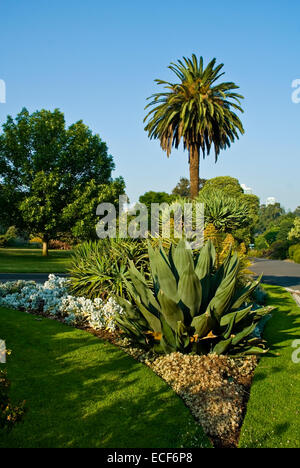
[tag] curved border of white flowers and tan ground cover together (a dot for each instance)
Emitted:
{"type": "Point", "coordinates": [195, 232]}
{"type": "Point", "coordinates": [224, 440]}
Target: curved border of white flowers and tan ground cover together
{"type": "Point", "coordinates": [215, 388]}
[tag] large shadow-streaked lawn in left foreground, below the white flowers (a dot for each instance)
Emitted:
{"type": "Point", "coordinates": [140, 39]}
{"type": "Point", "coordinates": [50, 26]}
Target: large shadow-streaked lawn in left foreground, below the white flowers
{"type": "Point", "coordinates": [84, 392]}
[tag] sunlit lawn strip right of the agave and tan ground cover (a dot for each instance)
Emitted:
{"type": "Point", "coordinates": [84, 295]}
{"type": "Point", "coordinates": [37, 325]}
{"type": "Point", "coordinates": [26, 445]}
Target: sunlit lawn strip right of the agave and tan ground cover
{"type": "Point", "coordinates": [273, 413]}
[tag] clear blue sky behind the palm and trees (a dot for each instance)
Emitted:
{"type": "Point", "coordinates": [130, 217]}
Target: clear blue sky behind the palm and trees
{"type": "Point", "coordinates": [96, 61]}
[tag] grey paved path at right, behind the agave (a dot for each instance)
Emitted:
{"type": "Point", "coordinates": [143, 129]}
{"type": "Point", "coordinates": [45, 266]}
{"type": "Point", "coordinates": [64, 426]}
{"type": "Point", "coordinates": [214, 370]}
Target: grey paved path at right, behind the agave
{"type": "Point", "coordinates": [278, 272]}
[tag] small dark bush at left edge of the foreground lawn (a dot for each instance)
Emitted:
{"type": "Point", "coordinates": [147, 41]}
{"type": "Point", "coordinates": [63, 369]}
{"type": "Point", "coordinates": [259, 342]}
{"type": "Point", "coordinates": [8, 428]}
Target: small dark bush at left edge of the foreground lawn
{"type": "Point", "coordinates": [9, 414]}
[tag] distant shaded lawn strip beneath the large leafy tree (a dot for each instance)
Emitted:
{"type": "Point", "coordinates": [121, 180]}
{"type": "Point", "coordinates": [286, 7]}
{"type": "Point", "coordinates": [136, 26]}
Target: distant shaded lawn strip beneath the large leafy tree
{"type": "Point", "coordinates": [32, 261]}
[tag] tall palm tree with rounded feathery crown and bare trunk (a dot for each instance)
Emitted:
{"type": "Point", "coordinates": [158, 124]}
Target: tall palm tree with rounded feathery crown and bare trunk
{"type": "Point", "coordinates": [196, 110]}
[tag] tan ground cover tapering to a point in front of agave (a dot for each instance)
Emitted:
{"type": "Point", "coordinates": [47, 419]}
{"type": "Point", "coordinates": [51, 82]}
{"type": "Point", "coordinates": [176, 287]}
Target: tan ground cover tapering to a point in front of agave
{"type": "Point", "coordinates": [215, 388]}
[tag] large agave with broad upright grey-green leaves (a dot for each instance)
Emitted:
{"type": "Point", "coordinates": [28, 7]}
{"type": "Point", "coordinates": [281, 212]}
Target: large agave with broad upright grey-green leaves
{"type": "Point", "coordinates": [193, 306]}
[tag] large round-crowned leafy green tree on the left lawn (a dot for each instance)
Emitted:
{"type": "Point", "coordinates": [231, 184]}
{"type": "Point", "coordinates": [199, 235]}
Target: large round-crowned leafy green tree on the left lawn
{"type": "Point", "coordinates": [48, 164]}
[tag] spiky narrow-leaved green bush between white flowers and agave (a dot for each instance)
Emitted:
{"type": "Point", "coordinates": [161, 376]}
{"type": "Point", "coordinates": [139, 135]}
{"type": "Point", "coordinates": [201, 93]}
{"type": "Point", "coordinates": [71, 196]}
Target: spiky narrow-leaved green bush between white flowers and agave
{"type": "Point", "coordinates": [98, 268]}
